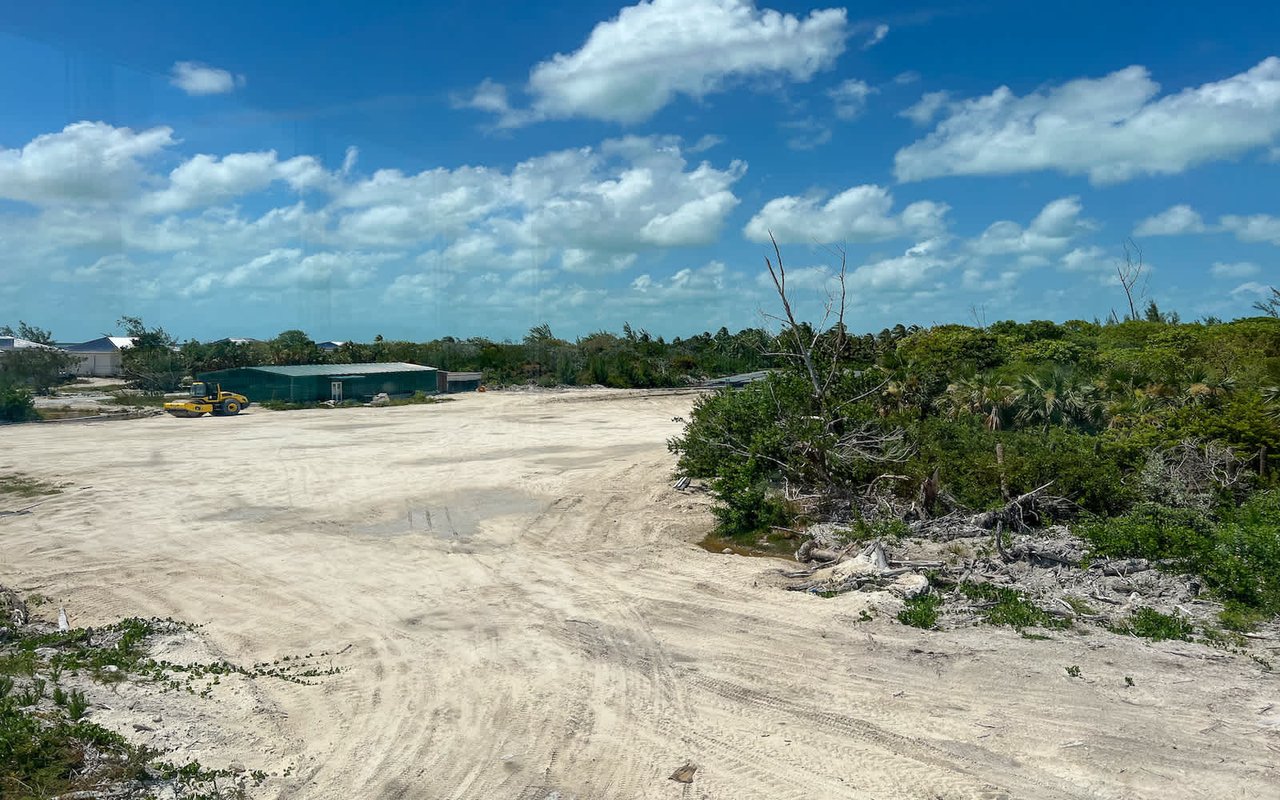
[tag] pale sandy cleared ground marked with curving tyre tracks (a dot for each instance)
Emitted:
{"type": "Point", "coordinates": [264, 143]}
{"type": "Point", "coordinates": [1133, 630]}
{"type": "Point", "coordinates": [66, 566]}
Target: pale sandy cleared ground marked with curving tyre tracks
{"type": "Point", "coordinates": [519, 611]}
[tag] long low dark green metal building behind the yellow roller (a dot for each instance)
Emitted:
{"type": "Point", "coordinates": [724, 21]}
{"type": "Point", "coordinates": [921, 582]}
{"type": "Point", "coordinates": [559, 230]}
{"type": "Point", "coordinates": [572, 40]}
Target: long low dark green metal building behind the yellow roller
{"type": "Point", "coordinates": [326, 382]}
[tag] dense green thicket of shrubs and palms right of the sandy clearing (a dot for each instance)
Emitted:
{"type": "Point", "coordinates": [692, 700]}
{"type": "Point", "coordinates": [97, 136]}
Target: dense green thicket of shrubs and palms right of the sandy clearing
{"type": "Point", "coordinates": [1165, 438]}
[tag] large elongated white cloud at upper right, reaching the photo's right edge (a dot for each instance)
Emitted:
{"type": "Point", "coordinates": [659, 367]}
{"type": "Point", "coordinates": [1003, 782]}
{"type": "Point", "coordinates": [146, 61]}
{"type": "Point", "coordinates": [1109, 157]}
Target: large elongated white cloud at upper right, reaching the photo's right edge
{"type": "Point", "coordinates": [1112, 129]}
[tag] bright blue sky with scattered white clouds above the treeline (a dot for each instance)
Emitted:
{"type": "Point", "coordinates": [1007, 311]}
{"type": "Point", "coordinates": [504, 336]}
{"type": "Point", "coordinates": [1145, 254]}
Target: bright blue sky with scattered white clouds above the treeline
{"type": "Point", "coordinates": [477, 170]}
